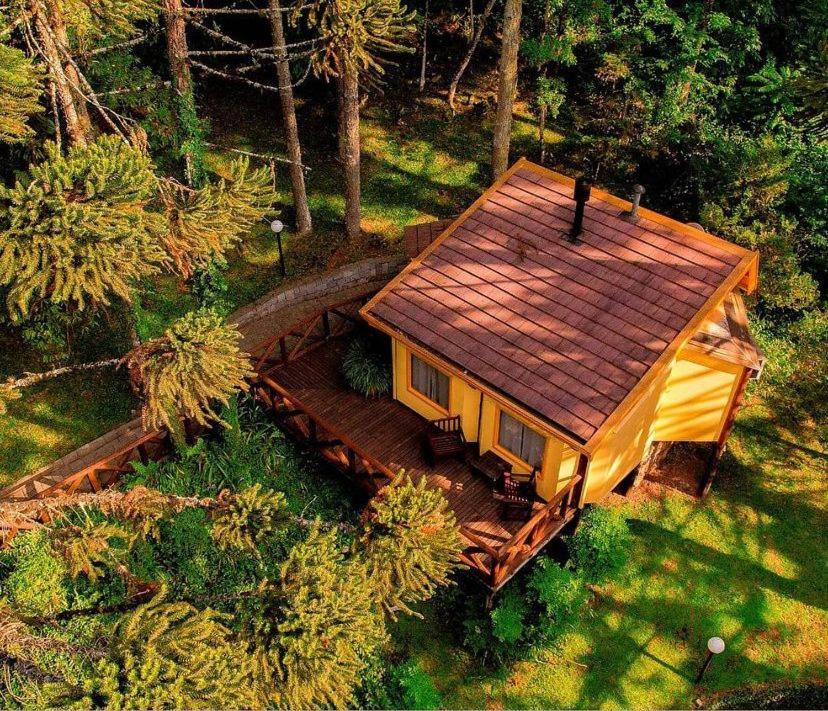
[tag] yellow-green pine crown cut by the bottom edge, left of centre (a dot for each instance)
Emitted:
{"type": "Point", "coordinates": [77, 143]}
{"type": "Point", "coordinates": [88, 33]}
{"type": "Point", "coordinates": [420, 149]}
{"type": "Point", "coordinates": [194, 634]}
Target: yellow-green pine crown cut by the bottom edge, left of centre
{"type": "Point", "coordinates": [168, 655]}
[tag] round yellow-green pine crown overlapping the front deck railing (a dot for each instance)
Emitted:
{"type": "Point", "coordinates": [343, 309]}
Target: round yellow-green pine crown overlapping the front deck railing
{"type": "Point", "coordinates": [412, 542]}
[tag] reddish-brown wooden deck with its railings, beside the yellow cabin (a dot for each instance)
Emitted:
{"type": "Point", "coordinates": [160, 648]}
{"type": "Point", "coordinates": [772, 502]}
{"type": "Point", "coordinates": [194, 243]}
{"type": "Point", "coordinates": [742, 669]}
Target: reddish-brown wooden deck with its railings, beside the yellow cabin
{"type": "Point", "coordinates": [372, 438]}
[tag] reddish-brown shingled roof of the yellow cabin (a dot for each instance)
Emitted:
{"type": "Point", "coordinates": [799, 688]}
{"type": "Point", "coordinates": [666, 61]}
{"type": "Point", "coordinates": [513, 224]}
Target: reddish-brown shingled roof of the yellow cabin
{"type": "Point", "coordinates": [567, 331]}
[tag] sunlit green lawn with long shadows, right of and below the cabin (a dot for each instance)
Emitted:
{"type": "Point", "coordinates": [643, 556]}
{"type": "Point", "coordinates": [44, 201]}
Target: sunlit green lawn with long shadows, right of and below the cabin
{"type": "Point", "coordinates": [747, 564]}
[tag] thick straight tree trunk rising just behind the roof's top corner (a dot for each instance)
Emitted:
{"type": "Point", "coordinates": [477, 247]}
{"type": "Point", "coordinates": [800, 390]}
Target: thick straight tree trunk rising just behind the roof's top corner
{"type": "Point", "coordinates": [507, 85]}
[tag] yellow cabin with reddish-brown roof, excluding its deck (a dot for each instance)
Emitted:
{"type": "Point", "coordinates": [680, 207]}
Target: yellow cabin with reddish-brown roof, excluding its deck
{"type": "Point", "coordinates": [570, 331]}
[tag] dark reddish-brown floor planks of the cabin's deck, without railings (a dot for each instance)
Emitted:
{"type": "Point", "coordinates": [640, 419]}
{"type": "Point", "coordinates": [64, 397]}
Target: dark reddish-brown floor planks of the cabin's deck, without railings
{"type": "Point", "coordinates": [391, 433]}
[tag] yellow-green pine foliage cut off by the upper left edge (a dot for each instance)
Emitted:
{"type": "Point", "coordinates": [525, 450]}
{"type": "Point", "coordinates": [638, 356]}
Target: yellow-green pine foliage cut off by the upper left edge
{"type": "Point", "coordinates": [20, 89]}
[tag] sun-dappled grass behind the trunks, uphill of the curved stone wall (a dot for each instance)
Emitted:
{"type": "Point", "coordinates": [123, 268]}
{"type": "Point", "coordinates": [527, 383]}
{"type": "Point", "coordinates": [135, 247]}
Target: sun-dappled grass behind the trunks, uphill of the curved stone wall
{"type": "Point", "coordinates": [423, 167]}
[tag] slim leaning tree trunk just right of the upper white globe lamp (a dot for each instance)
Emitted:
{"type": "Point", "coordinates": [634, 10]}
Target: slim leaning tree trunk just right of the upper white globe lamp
{"type": "Point", "coordinates": [294, 149]}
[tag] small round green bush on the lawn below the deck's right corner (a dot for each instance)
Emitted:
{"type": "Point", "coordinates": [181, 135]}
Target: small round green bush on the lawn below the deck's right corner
{"type": "Point", "coordinates": [601, 543]}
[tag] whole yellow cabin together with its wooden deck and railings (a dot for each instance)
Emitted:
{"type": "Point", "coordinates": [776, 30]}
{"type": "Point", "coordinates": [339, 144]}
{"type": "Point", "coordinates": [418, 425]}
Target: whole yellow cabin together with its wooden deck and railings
{"type": "Point", "coordinates": [560, 329]}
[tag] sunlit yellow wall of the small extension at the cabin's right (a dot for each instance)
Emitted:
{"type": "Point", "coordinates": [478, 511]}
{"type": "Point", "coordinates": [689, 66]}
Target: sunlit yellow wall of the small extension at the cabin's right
{"type": "Point", "coordinates": [695, 399]}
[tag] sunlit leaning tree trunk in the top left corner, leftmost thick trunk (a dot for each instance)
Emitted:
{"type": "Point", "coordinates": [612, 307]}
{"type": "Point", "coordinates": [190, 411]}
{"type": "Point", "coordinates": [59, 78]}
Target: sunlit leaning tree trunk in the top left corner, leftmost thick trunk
{"type": "Point", "coordinates": [51, 33]}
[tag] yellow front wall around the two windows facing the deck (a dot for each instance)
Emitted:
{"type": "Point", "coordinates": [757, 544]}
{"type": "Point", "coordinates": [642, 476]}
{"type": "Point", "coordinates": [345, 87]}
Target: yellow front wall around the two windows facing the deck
{"type": "Point", "coordinates": [464, 400]}
